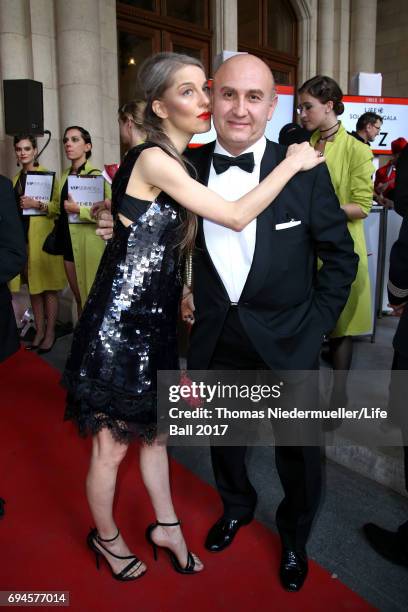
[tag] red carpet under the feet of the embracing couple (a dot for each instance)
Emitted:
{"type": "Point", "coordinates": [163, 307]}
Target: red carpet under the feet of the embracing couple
{"type": "Point", "coordinates": [43, 465]}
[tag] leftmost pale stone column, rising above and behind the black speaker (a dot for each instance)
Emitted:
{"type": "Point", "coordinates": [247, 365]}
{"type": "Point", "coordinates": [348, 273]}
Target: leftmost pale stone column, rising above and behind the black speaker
{"type": "Point", "coordinates": [16, 62]}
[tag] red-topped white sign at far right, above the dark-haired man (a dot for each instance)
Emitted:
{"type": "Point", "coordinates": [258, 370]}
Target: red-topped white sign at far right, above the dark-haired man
{"type": "Point", "coordinates": [394, 112]}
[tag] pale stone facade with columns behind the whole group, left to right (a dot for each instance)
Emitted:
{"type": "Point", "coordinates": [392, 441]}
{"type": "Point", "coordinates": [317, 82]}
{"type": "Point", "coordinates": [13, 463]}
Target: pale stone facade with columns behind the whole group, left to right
{"type": "Point", "coordinates": [71, 47]}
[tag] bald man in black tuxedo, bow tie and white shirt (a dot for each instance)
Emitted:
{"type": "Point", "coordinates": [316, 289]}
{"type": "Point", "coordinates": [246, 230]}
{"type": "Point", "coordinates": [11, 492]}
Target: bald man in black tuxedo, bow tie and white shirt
{"type": "Point", "coordinates": [259, 303]}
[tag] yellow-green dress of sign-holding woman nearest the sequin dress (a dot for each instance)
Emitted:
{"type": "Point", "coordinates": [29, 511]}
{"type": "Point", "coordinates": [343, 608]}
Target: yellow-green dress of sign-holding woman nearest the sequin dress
{"type": "Point", "coordinates": [86, 245]}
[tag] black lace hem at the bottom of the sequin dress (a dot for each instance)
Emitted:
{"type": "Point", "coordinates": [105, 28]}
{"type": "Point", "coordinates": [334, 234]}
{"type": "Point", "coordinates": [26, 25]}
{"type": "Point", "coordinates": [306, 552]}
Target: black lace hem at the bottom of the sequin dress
{"type": "Point", "coordinates": [94, 405]}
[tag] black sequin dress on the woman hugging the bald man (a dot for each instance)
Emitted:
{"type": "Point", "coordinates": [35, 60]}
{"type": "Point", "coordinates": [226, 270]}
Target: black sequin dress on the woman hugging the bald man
{"type": "Point", "coordinates": [127, 330]}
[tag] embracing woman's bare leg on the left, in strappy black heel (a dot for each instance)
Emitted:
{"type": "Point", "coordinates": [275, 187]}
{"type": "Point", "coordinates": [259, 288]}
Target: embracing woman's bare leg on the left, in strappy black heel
{"type": "Point", "coordinates": [107, 455]}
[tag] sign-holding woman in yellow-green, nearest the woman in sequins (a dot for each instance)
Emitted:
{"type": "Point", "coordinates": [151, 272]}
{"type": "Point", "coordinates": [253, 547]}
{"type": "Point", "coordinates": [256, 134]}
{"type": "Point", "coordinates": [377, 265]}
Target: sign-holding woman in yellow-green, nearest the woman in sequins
{"type": "Point", "coordinates": [81, 248]}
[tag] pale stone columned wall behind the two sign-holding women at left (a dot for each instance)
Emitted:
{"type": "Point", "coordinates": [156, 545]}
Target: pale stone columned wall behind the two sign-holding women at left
{"type": "Point", "coordinates": [71, 47]}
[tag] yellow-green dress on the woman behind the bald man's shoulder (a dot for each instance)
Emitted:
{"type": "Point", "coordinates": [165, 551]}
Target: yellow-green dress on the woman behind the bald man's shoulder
{"type": "Point", "coordinates": [351, 169]}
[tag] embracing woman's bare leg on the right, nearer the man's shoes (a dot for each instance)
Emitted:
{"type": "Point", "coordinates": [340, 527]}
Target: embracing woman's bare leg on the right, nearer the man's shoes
{"type": "Point", "coordinates": [154, 466]}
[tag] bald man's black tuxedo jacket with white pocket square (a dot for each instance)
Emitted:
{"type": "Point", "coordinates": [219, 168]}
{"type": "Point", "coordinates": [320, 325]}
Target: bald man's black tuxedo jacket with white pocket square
{"type": "Point", "coordinates": [286, 306]}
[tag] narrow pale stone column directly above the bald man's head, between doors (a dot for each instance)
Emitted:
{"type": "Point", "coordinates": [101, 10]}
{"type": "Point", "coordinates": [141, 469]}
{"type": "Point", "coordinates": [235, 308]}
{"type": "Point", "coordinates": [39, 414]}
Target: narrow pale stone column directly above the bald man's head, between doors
{"type": "Point", "coordinates": [225, 26]}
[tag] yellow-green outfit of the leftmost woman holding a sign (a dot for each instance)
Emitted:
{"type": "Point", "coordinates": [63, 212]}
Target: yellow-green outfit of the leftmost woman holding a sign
{"type": "Point", "coordinates": [45, 272]}
